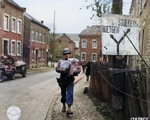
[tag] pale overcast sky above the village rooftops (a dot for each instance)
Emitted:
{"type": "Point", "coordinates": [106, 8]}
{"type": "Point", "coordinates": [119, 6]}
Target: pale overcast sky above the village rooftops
{"type": "Point", "coordinates": [68, 16]}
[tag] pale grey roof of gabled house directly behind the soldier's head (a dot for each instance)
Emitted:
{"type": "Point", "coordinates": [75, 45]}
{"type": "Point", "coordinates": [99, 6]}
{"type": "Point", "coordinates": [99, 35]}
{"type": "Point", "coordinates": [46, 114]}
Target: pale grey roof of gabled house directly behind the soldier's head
{"type": "Point", "coordinates": [74, 37]}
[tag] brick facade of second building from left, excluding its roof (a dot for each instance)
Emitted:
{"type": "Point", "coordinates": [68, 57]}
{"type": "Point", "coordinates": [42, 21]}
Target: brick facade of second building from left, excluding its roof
{"type": "Point", "coordinates": [37, 46]}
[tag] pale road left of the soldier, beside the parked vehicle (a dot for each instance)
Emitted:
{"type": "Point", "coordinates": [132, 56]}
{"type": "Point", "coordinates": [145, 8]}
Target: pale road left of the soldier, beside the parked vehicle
{"type": "Point", "coordinates": [32, 95]}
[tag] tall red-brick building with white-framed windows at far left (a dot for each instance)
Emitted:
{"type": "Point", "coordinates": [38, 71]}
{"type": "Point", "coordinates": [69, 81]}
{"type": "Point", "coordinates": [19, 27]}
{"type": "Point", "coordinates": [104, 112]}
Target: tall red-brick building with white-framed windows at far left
{"type": "Point", "coordinates": [11, 29]}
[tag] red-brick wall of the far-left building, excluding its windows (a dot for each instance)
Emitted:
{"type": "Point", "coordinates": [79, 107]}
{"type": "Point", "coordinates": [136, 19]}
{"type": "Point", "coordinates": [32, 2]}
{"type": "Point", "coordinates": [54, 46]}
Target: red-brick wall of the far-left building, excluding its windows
{"type": "Point", "coordinates": [16, 13]}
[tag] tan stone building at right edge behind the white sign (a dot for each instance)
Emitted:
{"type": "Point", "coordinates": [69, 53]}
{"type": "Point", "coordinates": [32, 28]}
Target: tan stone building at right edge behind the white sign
{"type": "Point", "coordinates": [141, 9]}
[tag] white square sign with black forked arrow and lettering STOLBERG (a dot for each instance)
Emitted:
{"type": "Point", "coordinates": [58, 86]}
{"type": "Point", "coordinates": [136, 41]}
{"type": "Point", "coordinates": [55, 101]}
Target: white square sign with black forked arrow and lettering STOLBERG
{"type": "Point", "coordinates": [115, 29]}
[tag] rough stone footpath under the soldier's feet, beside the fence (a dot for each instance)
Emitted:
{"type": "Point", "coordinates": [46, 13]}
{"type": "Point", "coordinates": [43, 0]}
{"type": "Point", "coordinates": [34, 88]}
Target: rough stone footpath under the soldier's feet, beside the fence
{"type": "Point", "coordinates": [82, 108]}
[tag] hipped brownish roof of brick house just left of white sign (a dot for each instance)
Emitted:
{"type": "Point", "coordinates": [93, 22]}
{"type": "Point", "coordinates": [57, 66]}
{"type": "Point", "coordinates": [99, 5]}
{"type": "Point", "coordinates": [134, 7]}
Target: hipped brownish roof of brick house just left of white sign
{"type": "Point", "coordinates": [90, 31]}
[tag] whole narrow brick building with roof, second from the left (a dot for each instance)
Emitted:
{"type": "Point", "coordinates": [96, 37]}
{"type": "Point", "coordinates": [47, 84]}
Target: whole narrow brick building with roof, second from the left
{"type": "Point", "coordinates": [36, 42]}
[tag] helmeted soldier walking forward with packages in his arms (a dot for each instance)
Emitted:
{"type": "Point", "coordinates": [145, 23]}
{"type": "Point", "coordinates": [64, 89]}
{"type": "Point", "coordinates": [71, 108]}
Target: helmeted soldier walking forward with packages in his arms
{"type": "Point", "coordinates": [66, 82]}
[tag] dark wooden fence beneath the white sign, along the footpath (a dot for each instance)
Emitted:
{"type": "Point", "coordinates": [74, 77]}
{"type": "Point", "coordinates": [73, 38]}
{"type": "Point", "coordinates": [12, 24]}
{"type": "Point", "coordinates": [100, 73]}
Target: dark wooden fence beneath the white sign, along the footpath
{"type": "Point", "coordinates": [122, 89]}
